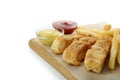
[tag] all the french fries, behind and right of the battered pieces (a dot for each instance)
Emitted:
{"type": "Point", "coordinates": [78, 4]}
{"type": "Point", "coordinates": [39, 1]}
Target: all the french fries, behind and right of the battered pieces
{"type": "Point", "coordinates": [106, 30]}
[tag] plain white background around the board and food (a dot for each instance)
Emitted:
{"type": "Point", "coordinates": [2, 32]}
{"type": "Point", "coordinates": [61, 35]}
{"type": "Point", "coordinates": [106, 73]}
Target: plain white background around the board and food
{"type": "Point", "coordinates": [19, 19]}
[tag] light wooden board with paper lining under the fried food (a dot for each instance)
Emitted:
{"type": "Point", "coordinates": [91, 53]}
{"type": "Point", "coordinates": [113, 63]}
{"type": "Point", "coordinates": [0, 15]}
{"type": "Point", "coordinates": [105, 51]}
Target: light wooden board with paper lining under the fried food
{"type": "Point", "coordinates": [69, 71]}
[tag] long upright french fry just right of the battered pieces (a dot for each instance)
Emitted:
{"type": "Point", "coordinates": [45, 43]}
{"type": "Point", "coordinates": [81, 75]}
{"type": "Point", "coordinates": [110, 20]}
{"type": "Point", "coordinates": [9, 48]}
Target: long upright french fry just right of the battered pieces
{"type": "Point", "coordinates": [113, 52]}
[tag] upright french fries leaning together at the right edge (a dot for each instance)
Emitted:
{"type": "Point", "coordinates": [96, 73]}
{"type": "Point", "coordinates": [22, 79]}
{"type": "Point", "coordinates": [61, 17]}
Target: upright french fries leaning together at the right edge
{"type": "Point", "coordinates": [115, 50]}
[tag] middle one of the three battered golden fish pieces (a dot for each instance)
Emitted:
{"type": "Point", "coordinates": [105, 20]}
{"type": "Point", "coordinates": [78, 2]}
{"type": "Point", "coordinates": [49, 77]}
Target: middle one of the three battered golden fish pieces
{"type": "Point", "coordinates": [76, 51]}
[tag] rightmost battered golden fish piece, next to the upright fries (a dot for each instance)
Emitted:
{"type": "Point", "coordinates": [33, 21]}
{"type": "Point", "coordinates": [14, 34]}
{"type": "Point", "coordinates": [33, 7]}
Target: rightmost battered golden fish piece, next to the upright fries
{"type": "Point", "coordinates": [95, 57]}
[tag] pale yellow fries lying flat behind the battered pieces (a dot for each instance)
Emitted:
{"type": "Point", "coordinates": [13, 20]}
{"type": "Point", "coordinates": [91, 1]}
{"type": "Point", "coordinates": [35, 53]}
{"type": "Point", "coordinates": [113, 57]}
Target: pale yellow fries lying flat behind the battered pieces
{"type": "Point", "coordinates": [96, 32]}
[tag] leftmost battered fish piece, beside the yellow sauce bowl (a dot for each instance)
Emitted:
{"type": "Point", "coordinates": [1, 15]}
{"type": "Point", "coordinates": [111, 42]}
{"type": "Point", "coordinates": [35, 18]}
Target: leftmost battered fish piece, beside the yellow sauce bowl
{"type": "Point", "coordinates": [62, 42]}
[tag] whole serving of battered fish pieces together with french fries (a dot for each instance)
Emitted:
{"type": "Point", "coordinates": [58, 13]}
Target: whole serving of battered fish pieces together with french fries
{"type": "Point", "coordinates": [91, 43]}
